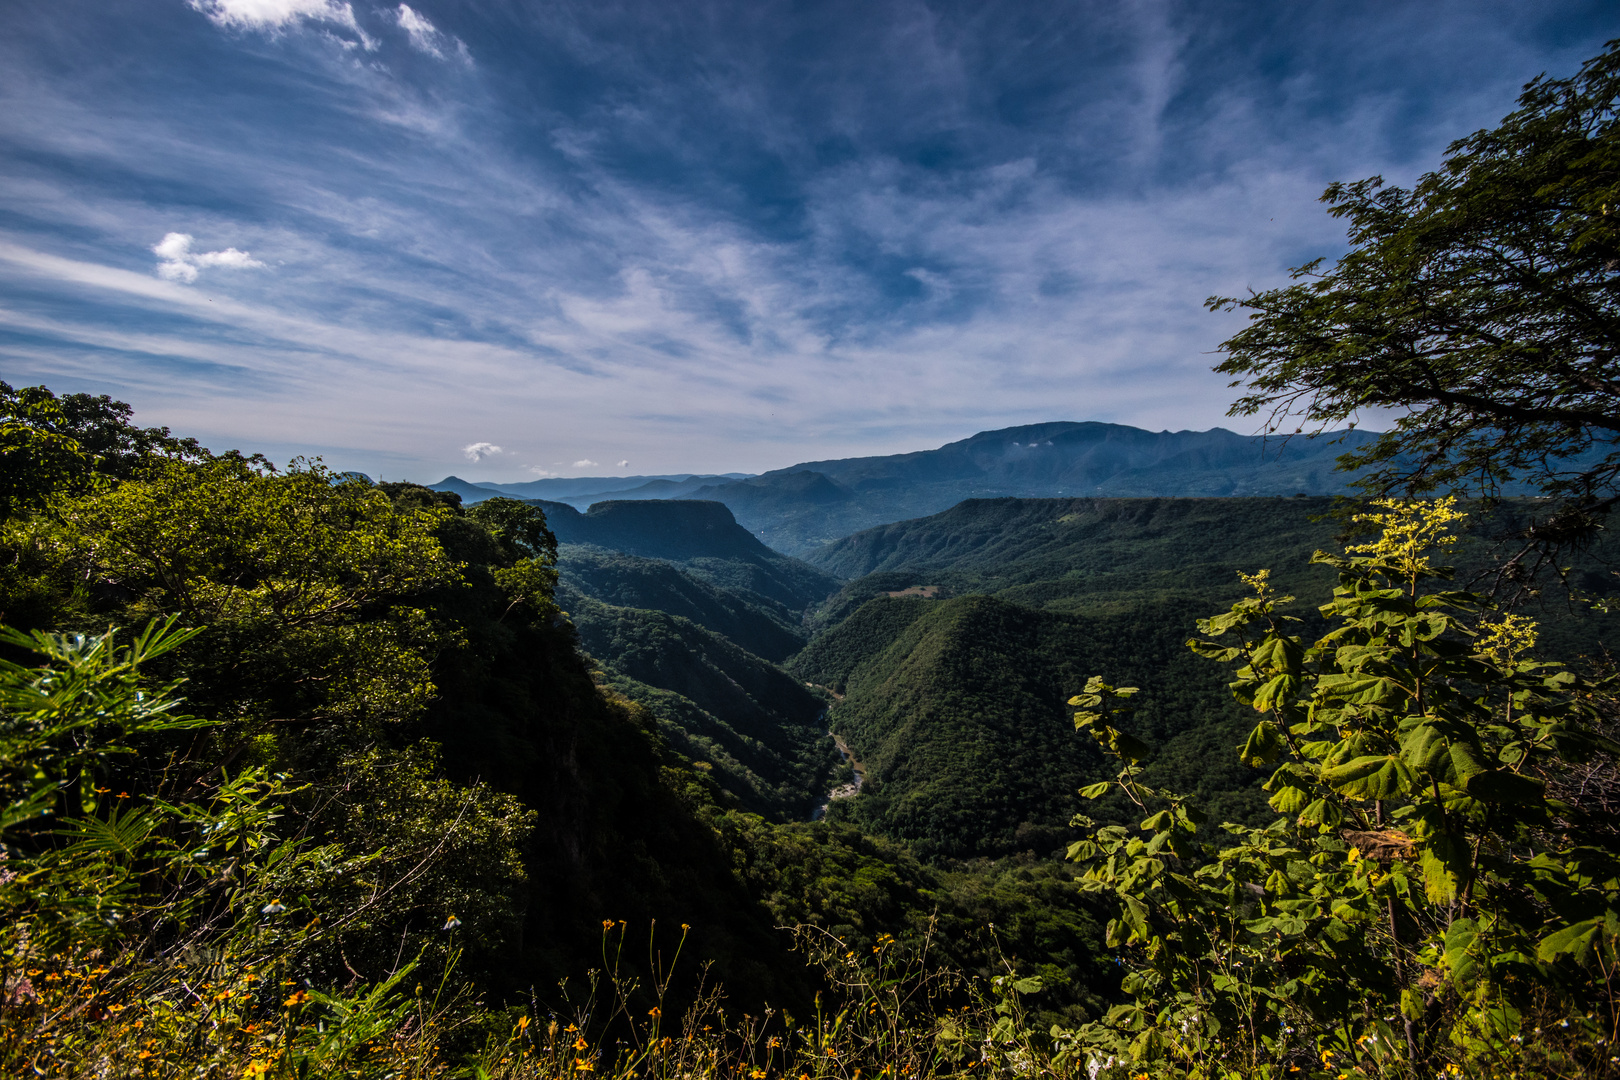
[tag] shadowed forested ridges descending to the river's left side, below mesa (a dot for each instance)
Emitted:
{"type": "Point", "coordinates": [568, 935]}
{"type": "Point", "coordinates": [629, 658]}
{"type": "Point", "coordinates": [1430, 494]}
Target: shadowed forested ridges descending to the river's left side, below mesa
{"type": "Point", "coordinates": [691, 627]}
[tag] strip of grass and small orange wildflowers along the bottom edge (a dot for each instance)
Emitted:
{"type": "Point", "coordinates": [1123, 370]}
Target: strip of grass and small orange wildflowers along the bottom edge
{"type": "Point", "coordinates": [892, 1013]}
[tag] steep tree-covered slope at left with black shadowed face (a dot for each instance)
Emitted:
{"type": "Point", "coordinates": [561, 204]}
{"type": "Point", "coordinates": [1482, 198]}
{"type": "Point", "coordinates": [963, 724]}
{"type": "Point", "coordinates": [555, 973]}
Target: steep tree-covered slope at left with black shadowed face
{"type": "Point", "coordinates": [347, 626]}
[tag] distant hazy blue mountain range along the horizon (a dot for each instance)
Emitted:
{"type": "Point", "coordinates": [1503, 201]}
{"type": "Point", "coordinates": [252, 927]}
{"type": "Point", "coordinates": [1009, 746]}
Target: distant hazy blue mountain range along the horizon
{"type": "Point", "coordinates": [806, 506]}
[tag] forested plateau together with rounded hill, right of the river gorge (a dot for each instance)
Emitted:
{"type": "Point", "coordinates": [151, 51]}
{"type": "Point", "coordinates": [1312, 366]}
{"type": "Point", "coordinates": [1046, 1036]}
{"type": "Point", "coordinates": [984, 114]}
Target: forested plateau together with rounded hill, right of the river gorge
{"type": "Point", "coordinates": [971, 629]}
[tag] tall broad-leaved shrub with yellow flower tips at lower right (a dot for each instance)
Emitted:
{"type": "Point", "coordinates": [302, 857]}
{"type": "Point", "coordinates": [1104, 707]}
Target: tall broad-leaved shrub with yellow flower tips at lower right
{"type": "Point", "coordinates": [1423, 903]}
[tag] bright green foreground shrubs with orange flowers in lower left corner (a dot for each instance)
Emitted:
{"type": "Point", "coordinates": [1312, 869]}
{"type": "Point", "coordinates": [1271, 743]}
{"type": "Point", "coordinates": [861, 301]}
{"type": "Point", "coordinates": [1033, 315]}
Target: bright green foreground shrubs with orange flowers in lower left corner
{"type": "Point", "coordinates": [164, 933]}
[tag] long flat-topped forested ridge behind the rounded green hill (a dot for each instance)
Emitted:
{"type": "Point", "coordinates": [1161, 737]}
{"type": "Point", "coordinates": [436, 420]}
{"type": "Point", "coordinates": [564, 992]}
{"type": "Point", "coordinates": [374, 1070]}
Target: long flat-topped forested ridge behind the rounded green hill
{"type": "Point", "coordinates": [1089, 555]}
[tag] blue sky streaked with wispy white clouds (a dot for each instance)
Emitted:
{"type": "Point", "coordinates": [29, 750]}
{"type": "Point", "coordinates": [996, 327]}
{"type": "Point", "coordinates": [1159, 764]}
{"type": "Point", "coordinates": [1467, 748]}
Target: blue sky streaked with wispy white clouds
{"type": "Point", "coordinates": [516, 239]}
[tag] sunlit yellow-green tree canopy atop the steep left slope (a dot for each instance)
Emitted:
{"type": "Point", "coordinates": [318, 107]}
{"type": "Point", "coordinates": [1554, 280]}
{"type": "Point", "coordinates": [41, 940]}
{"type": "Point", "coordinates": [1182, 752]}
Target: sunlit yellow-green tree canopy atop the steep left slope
{"type": "Point", "coordinates": [305, 579]}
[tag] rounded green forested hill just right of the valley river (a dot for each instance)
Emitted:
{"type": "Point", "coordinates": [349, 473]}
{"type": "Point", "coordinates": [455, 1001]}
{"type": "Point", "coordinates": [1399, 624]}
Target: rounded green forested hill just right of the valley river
{"type": "Point", "coordinates": [965, 733]}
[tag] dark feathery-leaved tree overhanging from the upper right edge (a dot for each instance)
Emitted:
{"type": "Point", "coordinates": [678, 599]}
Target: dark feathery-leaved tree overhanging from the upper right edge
{"type": "Point", "coordinates": [1483, 304]}
